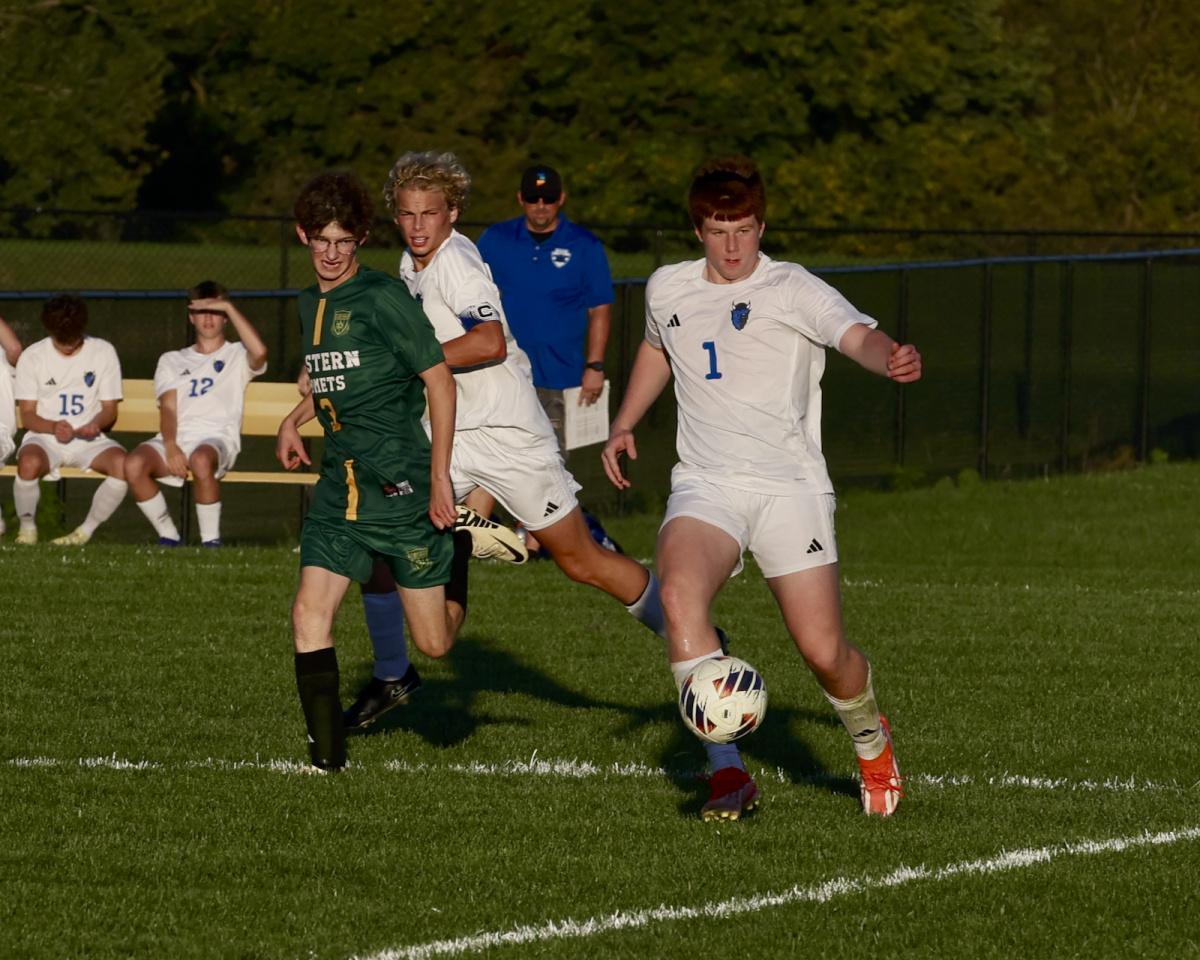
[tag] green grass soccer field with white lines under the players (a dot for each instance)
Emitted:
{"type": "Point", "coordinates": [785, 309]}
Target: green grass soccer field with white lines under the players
{"type": "Point", "coordinates": [1034, 645]}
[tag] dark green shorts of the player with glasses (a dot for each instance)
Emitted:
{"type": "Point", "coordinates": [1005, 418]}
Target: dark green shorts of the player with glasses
{"type": "Point", "coordinates": [418, 556]}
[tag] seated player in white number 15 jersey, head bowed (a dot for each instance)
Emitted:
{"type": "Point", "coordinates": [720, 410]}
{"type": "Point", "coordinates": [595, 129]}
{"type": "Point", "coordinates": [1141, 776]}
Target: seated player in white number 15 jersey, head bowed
{"type": "Point", "coordinates": [69, 387]}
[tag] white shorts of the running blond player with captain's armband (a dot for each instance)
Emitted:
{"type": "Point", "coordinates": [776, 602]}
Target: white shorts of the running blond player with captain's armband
{"type": "Point", "coordinates": [524, 471]}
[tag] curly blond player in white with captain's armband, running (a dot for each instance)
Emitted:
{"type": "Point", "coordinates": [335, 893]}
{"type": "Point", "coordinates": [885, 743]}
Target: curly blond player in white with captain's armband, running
{"type": "Point", "coordinates": [505, 442]}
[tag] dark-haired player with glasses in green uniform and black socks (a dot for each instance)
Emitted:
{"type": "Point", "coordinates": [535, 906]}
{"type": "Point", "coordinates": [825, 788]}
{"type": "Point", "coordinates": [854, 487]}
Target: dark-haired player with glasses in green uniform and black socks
{"type": "Point", "coordinates": [385, 495]}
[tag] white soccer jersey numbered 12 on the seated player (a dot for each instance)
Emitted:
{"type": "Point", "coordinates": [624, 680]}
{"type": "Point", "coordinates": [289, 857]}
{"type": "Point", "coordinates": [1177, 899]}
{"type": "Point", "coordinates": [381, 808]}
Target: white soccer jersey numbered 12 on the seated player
{"type": "Point", "coordinates": [211, 392]}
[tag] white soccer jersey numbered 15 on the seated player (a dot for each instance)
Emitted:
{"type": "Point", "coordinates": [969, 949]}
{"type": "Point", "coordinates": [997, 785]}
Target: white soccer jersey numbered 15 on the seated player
{"type": "Point", "coordinates": [69, 388]}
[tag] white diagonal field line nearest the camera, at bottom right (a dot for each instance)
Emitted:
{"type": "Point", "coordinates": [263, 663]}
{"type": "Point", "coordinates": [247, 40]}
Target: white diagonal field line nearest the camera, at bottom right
{"type": "Point", "coordinates": [818, 893]}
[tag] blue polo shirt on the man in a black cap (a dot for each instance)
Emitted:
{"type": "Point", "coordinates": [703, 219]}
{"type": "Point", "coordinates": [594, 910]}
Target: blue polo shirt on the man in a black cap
{"type": "Point", "coordinates": [548, 290]}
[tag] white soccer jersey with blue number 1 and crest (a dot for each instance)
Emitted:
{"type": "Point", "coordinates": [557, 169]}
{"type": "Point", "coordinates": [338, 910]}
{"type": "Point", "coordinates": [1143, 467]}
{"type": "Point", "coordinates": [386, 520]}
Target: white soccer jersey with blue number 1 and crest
{"type": "Point", "coordinates": [747, 361]}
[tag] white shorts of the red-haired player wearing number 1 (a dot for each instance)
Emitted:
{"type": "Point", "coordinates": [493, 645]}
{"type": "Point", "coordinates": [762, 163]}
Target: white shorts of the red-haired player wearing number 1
{"type": "Point", "coordinates": [785, 533]}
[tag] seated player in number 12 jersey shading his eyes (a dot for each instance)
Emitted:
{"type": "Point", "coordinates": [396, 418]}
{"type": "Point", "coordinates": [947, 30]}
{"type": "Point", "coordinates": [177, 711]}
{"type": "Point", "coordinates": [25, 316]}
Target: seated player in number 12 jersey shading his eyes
{"type": "Point", "coordinates": [201, 392]}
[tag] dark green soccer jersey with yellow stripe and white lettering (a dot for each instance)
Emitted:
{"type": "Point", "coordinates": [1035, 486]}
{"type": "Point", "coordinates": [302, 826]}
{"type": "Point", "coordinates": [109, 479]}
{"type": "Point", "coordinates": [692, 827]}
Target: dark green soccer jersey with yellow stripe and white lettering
{"type": "Point", "coordinates": [365, 344]}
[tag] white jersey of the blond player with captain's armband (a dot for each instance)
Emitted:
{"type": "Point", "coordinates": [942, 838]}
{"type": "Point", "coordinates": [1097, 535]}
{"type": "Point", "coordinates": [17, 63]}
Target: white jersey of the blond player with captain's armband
{"type": "Point", "coordinates": [457, 292]}
